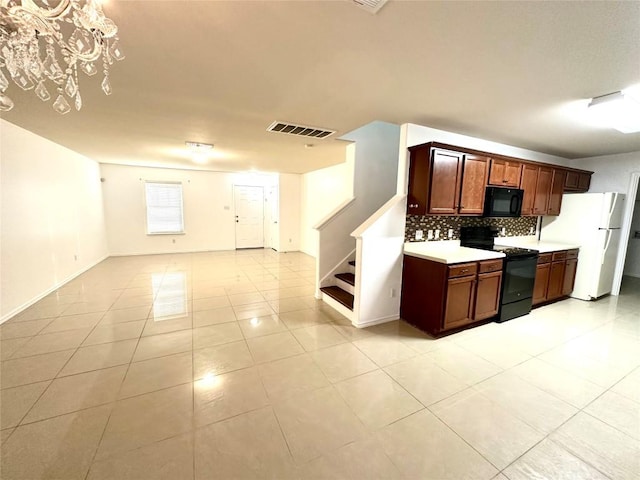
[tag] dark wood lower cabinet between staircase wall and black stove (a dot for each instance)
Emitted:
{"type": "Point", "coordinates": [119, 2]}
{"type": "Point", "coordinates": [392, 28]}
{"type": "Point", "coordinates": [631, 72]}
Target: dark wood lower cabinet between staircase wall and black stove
{"type": "Point", "coordinates": [437, 297]}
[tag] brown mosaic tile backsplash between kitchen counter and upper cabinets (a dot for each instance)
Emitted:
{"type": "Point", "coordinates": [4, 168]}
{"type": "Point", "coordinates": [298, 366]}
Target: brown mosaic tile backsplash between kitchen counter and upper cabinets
{"type": "Point", "coordinates": [513, 226]}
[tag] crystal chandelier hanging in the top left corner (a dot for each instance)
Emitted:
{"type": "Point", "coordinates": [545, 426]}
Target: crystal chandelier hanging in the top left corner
{"type": "Point", "coordinates": [44, 42]}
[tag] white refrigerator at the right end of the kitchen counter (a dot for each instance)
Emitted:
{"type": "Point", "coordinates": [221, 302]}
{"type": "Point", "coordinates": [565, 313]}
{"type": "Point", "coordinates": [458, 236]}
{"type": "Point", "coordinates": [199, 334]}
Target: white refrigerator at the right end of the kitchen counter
{"type": "Point", "coordinates": [591, 220]}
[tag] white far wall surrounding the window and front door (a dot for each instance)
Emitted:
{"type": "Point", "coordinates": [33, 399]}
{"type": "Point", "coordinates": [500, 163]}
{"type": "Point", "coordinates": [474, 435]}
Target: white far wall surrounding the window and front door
{"type": "Point", "coordinates": [209, 214]}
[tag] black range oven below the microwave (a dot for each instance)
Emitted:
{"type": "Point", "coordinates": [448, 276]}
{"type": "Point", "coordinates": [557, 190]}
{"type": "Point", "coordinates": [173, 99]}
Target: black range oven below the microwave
{"type": "Point", "coordinates": [518, 275]}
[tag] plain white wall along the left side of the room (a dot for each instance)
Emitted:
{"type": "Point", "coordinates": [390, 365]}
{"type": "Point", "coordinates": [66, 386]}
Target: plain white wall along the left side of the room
{"type": "Point", "coordinates": [51, 223]}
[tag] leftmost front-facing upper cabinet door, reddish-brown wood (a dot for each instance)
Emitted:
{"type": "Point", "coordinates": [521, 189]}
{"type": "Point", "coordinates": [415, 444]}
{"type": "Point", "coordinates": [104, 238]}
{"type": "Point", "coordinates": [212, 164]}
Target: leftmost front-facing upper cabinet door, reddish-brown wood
{"type": "Point", "coordinates": [446, 173]}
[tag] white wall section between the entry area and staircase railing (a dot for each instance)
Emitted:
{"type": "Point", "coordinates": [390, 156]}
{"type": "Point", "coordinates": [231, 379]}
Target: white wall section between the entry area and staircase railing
{"type": "Point", "coordinates": [321, 192]}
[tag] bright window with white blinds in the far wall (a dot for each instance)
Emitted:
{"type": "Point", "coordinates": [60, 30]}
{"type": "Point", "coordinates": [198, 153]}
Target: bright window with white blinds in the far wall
{"type": "Point", "coordinates": [164, 207]}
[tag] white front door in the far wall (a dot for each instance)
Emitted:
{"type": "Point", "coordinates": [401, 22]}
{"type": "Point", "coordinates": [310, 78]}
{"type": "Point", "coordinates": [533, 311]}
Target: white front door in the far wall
{"type": "Point", "coordinates": [249, 205]}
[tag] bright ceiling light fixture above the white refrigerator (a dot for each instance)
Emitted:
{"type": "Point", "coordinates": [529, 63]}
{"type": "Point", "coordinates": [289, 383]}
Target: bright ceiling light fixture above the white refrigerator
{"type": "Point", "coordinates": [617, 110]}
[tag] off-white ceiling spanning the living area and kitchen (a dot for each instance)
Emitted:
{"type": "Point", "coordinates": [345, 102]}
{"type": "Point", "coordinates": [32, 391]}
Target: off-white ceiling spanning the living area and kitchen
{"type": "Point", "coordinates": [222, 71]}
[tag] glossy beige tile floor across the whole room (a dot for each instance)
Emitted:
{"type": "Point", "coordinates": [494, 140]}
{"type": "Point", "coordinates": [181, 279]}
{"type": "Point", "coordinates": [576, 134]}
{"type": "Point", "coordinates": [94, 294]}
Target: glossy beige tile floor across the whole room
{"type": "Point", "coordinates": [223, 366]}
